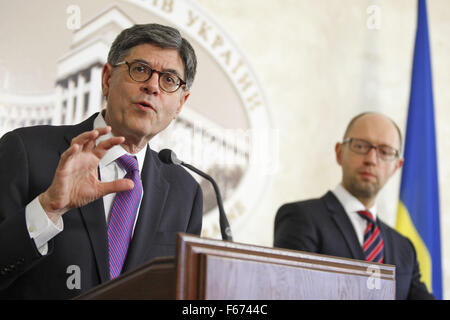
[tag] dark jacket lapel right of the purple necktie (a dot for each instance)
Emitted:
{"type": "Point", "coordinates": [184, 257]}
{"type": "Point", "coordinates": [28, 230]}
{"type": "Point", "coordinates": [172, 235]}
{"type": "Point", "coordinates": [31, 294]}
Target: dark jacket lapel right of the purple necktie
{"type": "Point", "coordinates": [156, 189]}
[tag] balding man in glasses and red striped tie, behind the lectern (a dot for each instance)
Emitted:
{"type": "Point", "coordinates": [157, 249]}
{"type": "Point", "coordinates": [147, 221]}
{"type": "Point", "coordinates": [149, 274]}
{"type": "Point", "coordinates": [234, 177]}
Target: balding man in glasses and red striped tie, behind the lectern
{"type": "Point", "coordinates": [344, 222]}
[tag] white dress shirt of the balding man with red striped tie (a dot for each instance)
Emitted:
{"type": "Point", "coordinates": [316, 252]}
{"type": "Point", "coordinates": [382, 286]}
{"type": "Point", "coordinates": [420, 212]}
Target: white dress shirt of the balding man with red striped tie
{"type": "Point", "coordinates": [352, 206]}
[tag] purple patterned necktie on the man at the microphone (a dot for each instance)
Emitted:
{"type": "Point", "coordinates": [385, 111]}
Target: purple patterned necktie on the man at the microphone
{"type": "Point", "coordinates": [122, 216]}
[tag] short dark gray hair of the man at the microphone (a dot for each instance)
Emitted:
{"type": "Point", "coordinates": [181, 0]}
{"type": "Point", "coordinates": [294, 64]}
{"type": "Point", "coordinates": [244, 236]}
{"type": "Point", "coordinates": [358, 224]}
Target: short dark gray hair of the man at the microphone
{"type": "Point", "coordinates": [161, 36]}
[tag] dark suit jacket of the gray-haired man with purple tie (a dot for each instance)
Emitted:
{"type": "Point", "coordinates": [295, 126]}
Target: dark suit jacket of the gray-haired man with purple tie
{"type": "Point", "coordinates": [172, 203]}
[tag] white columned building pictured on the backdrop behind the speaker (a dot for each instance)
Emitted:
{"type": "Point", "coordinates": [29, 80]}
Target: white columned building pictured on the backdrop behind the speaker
{"type": "Point", "coordinates": [77, 95]}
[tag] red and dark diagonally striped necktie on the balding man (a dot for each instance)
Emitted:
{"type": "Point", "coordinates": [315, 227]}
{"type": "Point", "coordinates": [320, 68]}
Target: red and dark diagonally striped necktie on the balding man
{"type": "Point", "coordinates": [373, 246]}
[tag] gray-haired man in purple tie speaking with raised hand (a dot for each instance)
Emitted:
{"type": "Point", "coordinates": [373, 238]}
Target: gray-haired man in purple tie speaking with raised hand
{"type": "Point", "coordinates": [62, 186]}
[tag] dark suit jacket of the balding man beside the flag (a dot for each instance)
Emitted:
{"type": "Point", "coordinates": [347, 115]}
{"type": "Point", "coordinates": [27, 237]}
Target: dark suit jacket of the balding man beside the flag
{"type": "Point", "coordinates": [322, 226]}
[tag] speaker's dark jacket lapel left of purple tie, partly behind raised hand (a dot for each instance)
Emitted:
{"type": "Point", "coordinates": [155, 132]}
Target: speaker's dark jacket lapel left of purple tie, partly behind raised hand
{"type": "Point", "coordinates": [92, 214]}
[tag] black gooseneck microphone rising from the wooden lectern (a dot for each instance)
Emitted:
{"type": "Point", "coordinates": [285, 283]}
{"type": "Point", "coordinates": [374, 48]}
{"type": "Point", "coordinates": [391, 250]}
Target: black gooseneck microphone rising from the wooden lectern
{"type": "Point", "coordinates": [169, 157]}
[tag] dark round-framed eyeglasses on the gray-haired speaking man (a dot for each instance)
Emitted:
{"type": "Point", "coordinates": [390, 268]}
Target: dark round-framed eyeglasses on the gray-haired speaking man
{"type": "Point", "coordinates": [141, 72]}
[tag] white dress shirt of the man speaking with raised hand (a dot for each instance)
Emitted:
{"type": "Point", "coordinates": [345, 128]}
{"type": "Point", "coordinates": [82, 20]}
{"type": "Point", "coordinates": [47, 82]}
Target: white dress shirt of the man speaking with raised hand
{"type": "Point", "coordinates": [42, 229]}
